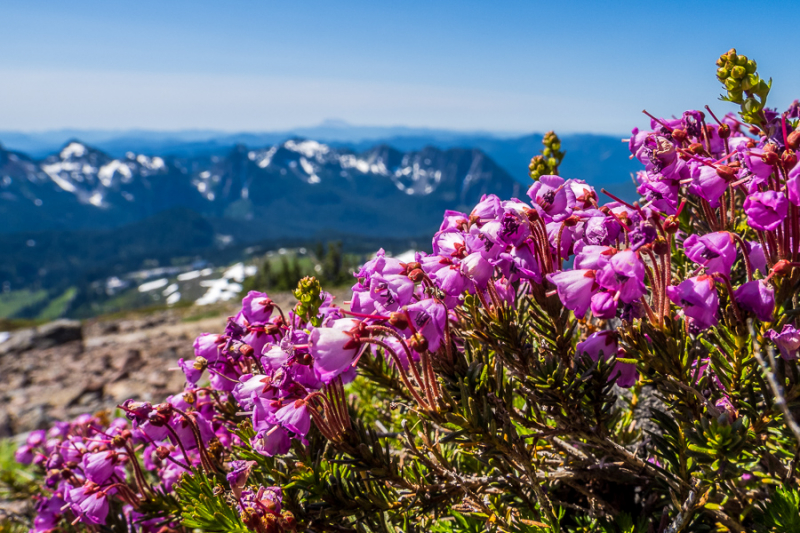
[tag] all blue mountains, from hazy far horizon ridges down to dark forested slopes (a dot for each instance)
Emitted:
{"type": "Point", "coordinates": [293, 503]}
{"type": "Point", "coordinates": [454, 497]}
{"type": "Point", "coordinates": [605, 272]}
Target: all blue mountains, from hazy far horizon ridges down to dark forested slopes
{"type": "Point", "coordinates": [85, 213]}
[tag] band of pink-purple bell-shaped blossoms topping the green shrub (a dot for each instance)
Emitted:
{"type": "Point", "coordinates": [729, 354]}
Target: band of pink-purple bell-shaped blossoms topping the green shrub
{"type": "Point", "coordinates": [614, 260]}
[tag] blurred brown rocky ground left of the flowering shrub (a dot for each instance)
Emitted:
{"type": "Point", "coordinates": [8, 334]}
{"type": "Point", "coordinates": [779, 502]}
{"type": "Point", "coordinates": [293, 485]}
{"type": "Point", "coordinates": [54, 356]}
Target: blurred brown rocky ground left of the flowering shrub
{"type": "Point", "coordinates": [67, 368]}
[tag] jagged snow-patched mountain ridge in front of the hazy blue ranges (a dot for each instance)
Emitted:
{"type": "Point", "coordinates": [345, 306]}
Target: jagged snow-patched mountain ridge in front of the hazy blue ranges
{"type": "Point", "coordinates": [296, 188]}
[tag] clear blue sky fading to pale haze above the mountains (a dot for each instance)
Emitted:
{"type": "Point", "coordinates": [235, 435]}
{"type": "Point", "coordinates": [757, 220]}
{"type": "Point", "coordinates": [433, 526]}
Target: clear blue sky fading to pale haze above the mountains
{"type": "Point", "coordinates": [258, 66]}
